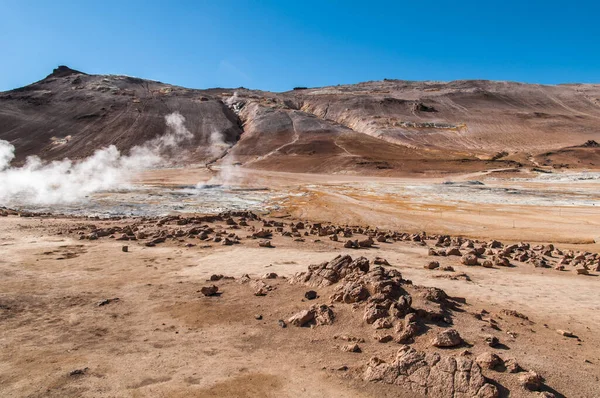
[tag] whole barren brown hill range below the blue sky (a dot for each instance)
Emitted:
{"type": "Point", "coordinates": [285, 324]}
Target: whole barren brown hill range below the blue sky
{"type": "Point", "coordinates": [383, 127]}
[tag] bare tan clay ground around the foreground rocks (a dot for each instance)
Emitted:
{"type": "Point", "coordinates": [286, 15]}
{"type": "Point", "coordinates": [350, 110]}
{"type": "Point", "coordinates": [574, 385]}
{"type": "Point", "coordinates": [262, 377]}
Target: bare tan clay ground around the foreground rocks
{"type": "Point", "coordinates": [163, 338]}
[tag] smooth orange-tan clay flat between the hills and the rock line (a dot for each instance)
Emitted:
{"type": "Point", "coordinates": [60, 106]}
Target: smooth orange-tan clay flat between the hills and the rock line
{"type": "Point", "coordinates": [565, 211]}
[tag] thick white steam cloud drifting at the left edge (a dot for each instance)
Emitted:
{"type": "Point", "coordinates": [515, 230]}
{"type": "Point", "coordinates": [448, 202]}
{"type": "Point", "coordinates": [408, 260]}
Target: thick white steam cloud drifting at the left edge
{"type": "Point", "coordinates": [66, 181]}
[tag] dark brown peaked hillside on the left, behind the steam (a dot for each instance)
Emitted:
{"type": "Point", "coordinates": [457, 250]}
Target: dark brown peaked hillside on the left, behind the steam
{"type": "Point", "coordinates": [71, 114]}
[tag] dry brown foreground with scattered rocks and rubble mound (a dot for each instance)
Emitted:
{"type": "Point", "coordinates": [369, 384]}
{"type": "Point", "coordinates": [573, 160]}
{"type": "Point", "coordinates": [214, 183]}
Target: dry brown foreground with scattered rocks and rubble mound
{"type": "Point", "coordinates": [80, 316]}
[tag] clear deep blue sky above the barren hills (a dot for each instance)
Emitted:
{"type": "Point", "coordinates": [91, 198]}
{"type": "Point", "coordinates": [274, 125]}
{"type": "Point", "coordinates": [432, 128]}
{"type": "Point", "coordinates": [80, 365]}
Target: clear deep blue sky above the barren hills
{"type": "Point", "coordinates": [276, 45]}
